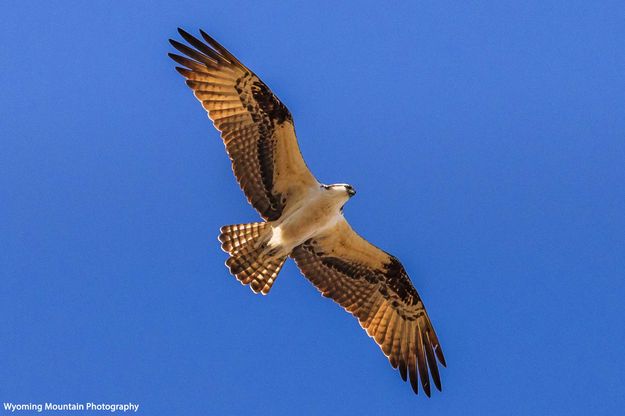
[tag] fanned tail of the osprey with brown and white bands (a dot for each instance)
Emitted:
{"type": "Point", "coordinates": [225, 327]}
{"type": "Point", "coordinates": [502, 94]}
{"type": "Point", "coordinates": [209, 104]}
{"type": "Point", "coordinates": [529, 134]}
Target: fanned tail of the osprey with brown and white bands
{"type": "Point", "coordinates": [249, 260]}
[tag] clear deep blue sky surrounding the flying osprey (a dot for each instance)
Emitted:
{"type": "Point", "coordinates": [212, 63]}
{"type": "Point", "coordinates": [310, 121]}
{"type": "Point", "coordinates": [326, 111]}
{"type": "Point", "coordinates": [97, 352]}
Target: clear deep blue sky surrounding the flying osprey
{"type": "Point", "coordinates": [486, 142]}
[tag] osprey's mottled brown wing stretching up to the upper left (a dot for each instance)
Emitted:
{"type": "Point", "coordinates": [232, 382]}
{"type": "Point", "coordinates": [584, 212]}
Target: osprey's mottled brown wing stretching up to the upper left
{"type": "Point", "coordinates": [257, 129]}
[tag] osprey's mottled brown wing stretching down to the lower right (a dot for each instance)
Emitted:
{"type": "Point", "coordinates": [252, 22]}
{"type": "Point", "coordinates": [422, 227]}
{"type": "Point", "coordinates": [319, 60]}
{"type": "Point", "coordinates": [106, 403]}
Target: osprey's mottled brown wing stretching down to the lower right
{"type": "Point", "coordinates": [374, 287]}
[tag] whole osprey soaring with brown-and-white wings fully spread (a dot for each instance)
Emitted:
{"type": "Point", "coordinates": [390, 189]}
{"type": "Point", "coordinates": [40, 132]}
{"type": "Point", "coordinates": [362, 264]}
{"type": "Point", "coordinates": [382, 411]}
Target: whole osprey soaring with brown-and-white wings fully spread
{"type": "Point", "coordinates": [303, 218]}
